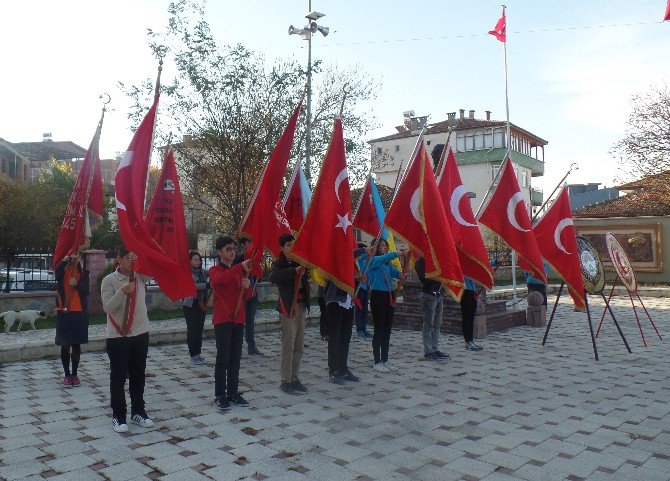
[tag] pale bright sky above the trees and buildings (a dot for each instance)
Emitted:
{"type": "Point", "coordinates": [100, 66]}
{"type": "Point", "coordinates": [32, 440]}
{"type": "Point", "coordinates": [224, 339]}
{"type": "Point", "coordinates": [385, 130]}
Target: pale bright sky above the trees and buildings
{"type": "Point", "coordinates": [573, 66]}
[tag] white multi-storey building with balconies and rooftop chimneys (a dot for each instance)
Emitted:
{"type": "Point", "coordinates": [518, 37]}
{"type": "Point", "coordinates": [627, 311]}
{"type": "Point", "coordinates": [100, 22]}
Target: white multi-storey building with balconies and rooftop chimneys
{"type": "Point", "coordinates": [479, 146]}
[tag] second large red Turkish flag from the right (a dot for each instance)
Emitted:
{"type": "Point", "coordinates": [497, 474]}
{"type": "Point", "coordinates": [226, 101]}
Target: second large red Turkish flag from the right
{"type": "Point", "coordinates": [505, 213]}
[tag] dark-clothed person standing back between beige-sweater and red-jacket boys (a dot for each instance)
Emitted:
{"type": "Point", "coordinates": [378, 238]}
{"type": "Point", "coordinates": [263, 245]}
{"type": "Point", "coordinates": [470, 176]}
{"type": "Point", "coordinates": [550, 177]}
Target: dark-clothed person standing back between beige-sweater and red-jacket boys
{"type": "Point", "coordinates": [194, 309]}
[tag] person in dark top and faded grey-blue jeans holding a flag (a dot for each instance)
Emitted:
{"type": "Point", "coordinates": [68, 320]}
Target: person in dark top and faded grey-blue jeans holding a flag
{"type": "Point", "coordinates": [432, 300]}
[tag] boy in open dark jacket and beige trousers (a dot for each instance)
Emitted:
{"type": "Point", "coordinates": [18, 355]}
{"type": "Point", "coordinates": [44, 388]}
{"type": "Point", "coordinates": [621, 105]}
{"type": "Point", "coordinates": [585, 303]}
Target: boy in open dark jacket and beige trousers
{"type": "Point", "coordinates": [292, 281]}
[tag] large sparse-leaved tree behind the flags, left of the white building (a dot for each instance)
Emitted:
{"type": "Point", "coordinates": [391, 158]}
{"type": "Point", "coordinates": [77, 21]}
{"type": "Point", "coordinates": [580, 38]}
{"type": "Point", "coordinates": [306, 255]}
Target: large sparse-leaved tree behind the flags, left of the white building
{"type": "Point", "coordinates": [233, 107]}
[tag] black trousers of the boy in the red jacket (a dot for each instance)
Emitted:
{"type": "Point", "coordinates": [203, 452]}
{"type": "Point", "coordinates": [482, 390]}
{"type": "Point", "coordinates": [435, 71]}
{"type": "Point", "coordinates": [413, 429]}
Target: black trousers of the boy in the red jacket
{"type": "Point", "coordinates": [229, 336]}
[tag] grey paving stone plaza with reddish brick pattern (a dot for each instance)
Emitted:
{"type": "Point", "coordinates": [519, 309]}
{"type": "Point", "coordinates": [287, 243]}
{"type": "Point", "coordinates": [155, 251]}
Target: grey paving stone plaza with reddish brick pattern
{"type": "Point", "coordinates": [515, 411]}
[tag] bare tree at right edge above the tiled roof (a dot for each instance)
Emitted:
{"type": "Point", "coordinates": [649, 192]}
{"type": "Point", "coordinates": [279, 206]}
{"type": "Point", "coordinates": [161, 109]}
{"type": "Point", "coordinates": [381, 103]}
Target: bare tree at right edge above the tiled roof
{"type": "Point", "coordinates": [645, 148]}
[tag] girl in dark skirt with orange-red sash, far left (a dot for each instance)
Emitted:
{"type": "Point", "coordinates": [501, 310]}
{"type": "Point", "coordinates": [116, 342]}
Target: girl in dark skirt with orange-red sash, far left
{"type": "Point", "coordinates": [71, 315]}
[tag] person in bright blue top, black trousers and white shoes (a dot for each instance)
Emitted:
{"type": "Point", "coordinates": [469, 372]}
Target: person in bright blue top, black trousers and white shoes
{"type": "Point", "coordinates": [380, 280]}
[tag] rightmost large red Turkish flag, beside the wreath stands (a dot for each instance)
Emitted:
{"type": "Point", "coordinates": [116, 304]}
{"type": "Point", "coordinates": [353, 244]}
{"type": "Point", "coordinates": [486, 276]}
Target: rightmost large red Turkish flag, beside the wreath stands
{"type": "Point", "coordinates": [555, 234]}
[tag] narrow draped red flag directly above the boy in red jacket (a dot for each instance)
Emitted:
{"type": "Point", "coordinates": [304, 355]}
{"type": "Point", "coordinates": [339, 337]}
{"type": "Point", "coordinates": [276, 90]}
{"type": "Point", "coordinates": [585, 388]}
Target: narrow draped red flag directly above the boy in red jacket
{"type": "Point", "coordinates": [262, 206]}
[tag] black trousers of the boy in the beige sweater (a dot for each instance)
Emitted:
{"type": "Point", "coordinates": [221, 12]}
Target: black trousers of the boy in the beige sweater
{"type": "Point", "coordinates": [127, 359]}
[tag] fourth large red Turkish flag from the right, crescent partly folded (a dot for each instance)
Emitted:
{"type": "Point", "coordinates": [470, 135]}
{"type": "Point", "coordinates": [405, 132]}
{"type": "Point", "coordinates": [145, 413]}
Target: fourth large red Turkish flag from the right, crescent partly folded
{"type": "Point", "coordinates": [417, 215]}
